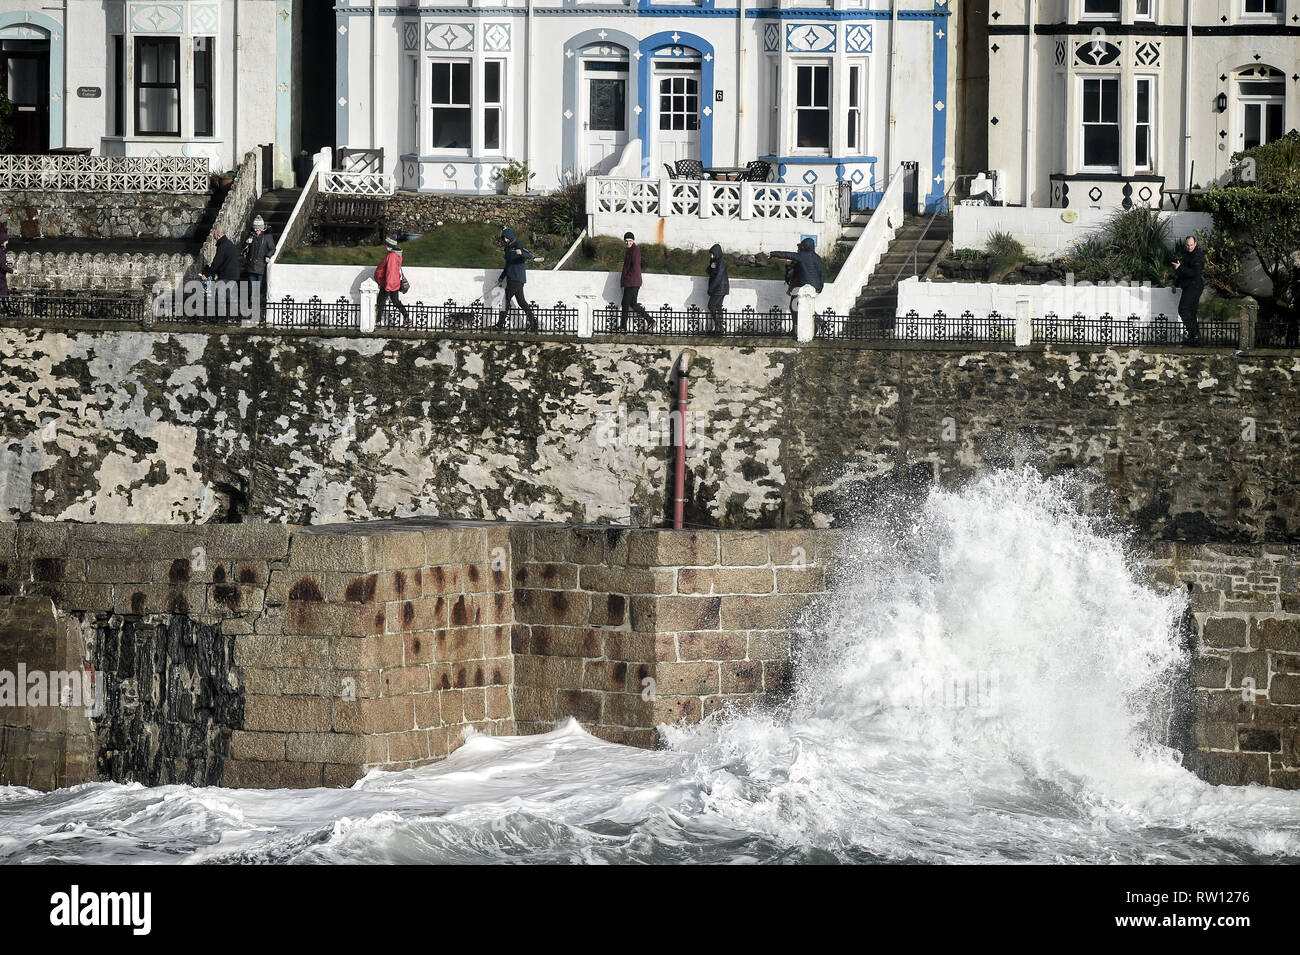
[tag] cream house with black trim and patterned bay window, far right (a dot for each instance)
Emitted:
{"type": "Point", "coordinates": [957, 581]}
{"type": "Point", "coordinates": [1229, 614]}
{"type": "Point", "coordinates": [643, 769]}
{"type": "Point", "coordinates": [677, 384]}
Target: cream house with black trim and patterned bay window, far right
{"type": "Point", "coordinates": [1119, 103]}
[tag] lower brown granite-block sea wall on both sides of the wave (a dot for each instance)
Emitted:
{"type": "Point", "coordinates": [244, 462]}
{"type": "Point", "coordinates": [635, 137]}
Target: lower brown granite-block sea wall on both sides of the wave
{"type": "Point", "coordinates": [270, 656]}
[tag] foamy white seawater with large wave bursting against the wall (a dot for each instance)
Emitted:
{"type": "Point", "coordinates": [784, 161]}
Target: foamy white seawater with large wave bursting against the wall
{"type": "Point", "coordinates": [989, 685]}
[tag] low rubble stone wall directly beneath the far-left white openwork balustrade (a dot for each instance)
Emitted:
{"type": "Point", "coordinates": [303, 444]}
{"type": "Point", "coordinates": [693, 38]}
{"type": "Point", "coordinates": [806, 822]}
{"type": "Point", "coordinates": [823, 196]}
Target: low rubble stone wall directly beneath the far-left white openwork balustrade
{"type": "Point", "coordinates": [37, 214]}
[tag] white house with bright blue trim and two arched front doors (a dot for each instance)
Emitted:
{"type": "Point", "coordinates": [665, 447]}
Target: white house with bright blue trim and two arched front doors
{"type": "Point", "coordinates": [825, 92]}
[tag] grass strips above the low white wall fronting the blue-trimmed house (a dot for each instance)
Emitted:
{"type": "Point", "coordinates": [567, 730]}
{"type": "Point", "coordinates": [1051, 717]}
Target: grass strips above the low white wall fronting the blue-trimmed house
{"type": "Point", "coordinates": [476, 246]}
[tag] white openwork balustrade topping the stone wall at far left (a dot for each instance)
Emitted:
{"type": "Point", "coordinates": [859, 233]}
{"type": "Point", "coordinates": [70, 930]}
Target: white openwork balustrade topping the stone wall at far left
{"type": "Point", "coordinates": [176, 175]}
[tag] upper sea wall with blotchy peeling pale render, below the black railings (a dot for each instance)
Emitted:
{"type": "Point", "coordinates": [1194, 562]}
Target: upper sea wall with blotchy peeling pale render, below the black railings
{"type": "Point", "coordinates": [172, 427]}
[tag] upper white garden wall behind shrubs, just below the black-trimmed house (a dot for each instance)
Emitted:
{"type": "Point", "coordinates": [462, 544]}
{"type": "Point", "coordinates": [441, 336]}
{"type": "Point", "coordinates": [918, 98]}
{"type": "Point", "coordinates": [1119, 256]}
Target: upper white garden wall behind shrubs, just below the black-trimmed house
{"type": "Point", "coordinates": [1046, 233]}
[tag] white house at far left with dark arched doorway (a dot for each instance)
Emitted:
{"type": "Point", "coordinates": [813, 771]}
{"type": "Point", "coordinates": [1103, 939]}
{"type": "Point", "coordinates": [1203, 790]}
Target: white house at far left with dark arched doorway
{"type": "Point", "coordinates": [202, 79]}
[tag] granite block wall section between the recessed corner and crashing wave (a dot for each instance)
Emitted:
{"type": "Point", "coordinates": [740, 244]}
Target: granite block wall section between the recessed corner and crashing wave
{"type": "Point", "coordinates": [629, 631]}
